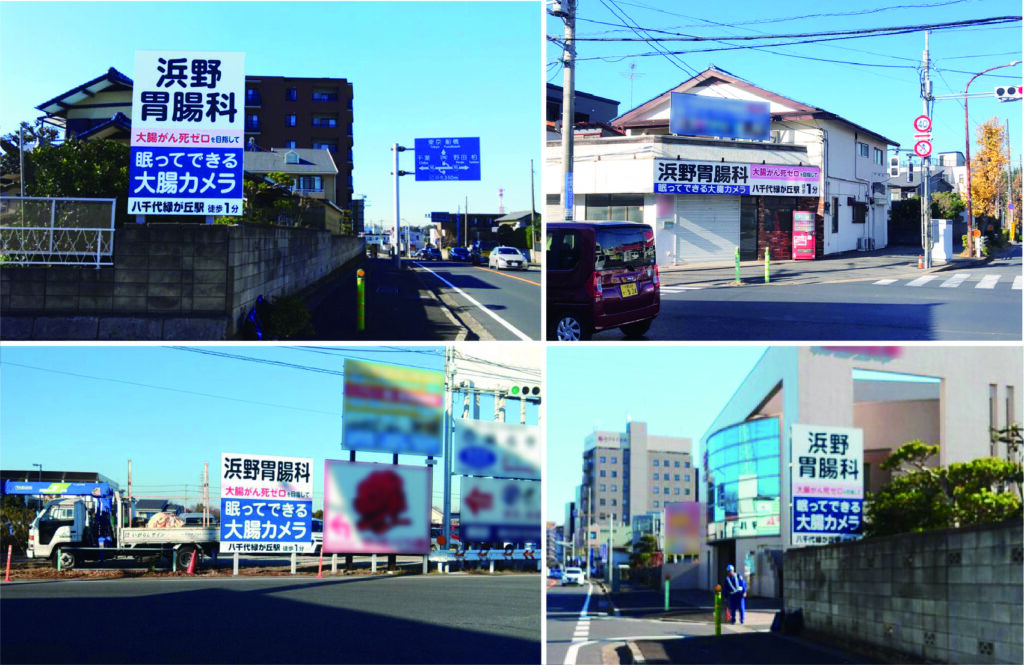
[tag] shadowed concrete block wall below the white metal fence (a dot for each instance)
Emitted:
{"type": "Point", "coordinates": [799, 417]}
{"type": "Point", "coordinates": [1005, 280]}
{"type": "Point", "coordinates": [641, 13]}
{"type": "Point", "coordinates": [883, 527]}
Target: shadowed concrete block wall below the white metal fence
{"type": "Point", "coordinates": [169, 282]}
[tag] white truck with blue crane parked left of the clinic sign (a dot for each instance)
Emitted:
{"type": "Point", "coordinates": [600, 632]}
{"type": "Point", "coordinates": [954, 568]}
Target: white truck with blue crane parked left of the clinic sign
{"type": "Point", "coordinates": [95, 522]}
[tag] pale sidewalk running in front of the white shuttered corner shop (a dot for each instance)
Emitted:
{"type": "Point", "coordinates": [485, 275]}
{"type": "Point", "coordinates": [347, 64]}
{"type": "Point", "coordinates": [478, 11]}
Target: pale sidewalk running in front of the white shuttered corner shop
{"type": "Point", "coordinates": [891, 263]}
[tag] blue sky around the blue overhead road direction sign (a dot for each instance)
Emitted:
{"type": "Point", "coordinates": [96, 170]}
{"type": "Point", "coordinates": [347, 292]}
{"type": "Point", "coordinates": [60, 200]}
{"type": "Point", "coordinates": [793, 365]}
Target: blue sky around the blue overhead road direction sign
{"type": "Point", "coordinates": [419, 70]}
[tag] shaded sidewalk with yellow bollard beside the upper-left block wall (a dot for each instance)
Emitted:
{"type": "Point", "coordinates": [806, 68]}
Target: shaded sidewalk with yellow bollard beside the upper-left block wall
{"type": "Point", "coordinates": [399, 308]}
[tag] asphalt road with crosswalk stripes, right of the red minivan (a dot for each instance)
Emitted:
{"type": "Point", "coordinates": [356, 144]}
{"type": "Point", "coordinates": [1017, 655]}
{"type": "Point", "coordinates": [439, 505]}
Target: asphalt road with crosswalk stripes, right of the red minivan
{"type": "Point", "coordinates": [982, 304]}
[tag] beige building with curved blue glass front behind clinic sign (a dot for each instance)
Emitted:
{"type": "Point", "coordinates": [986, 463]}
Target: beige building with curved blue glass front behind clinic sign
{"type": "Point", "coordinates": [754, 470]}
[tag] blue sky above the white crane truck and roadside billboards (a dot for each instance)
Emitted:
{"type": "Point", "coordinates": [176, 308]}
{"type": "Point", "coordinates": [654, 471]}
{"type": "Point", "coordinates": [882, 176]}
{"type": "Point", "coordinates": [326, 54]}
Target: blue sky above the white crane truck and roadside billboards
{"type": "Point", "coordinates": [93, 408]}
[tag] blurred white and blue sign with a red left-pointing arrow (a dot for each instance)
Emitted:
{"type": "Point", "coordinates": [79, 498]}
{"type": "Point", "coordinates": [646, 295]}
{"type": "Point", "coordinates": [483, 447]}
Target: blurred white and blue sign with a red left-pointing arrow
{"type": "Point", "coordinates": [500, 511]}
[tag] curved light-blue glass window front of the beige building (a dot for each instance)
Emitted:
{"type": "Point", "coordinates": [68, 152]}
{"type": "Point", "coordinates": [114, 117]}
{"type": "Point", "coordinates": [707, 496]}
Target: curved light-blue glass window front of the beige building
{"type": "Point", "coordinates": [744, 481]}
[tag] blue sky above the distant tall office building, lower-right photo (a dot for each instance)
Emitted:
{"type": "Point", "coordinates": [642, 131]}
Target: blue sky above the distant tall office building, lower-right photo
{"type": "Point", "coordinates": [677, 391]}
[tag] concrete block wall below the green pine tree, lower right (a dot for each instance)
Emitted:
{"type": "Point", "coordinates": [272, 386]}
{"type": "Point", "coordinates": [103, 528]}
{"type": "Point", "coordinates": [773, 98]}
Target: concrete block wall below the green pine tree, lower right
{"type": "Point", "coordinates": [952, 596]}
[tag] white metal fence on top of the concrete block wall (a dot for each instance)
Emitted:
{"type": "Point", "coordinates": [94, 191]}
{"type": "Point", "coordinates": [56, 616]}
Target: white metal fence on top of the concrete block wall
{"type": "Point", "coordinates": [57, 231]}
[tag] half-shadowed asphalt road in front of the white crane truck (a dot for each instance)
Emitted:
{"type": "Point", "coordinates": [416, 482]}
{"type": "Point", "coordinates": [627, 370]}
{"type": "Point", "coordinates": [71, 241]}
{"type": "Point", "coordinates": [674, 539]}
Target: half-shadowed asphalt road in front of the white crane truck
{"type": "Point", "coordinates": [405, 619]}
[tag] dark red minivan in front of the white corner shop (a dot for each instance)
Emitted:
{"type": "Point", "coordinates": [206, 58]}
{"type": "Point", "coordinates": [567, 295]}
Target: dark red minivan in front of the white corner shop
{"type": "Point", "coordinates": [601, 275]}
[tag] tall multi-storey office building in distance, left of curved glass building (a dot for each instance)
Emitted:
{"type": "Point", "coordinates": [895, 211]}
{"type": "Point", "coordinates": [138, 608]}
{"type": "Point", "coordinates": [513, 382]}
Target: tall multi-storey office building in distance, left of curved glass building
{"type": "Point", "coordinates": [632, 474]}
